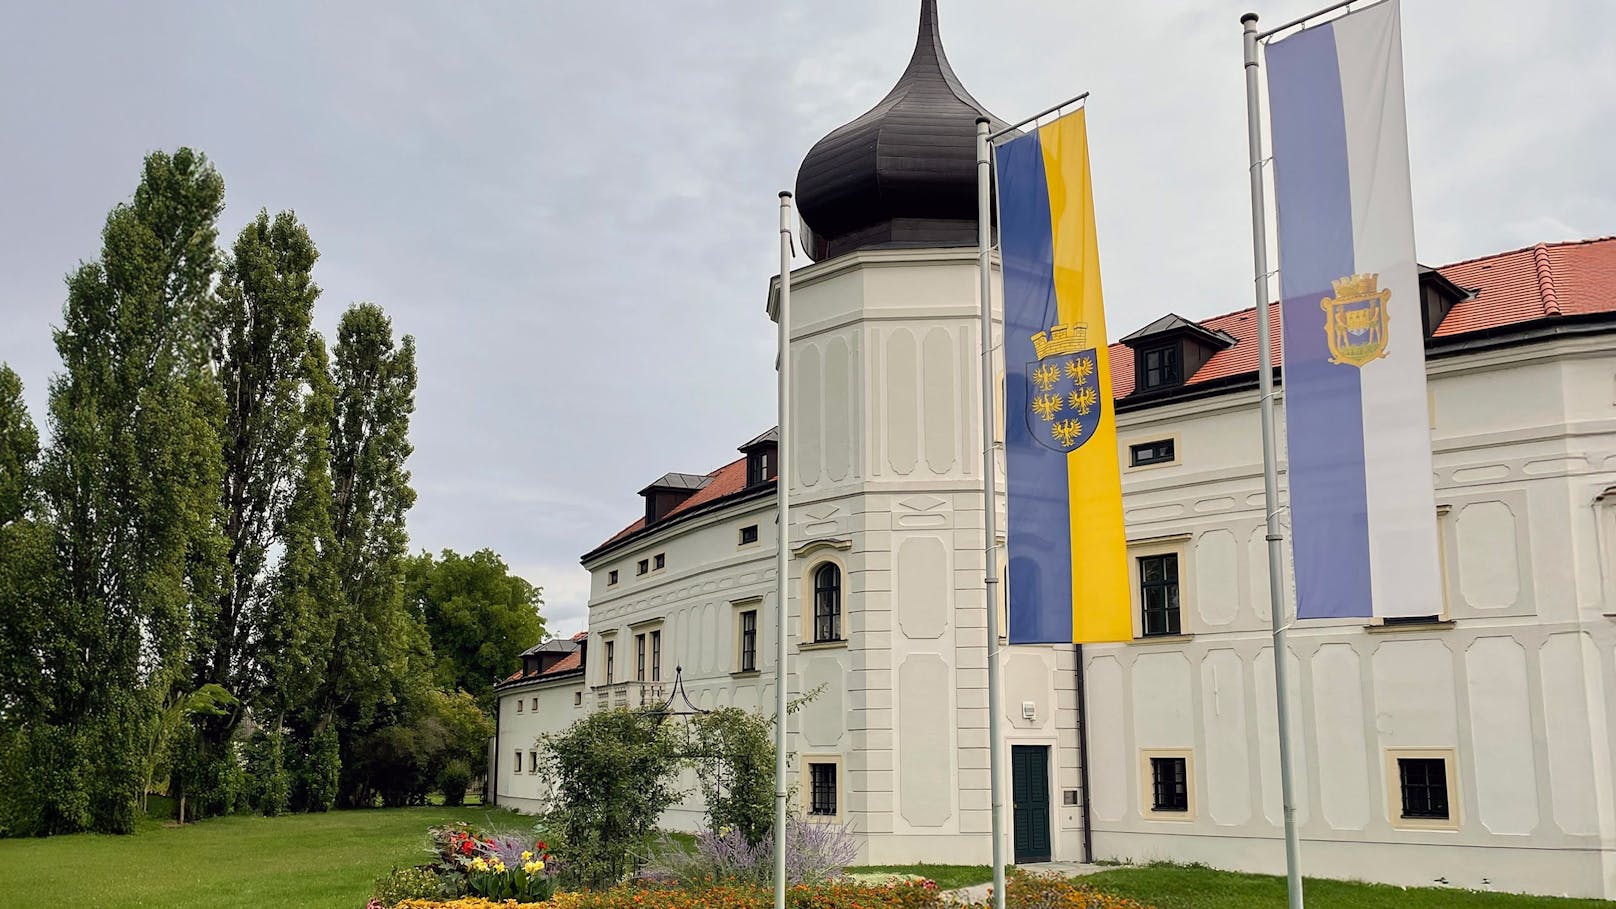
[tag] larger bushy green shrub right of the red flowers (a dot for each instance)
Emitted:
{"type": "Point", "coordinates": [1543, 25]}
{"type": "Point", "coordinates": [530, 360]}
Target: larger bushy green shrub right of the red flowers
{"type": "Point", "coordinates": [613, 776]}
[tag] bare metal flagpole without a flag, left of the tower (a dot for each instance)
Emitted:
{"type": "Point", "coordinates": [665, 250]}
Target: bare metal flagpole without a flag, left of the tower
{"type": "Point", "coordinates": [783, 552]}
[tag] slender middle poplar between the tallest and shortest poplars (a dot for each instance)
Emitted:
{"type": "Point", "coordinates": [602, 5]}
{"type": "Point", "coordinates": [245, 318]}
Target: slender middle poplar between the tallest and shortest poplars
{"type": "Point", "coordinates": [261, 345]}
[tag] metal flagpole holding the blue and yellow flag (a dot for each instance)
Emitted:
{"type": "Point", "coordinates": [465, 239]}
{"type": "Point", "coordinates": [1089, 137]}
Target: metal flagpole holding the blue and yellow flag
{"type": "Point", "coordinates": [985, 229]}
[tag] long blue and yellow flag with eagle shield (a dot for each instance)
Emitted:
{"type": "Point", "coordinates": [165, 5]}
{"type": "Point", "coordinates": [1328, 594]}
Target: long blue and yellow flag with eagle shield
{"type": "Point", "coordinates": [1069, 564]}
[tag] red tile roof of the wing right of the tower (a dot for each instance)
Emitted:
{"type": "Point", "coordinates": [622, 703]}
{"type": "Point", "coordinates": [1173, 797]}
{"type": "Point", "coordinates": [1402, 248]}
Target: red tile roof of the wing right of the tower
{"type": "Point", "coordinates": [1512, 289]}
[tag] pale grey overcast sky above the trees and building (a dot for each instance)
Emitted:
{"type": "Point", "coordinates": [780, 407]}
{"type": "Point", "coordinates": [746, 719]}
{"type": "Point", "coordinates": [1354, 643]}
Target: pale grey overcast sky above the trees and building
{"type": "Point", "coordinates": [573, 206]}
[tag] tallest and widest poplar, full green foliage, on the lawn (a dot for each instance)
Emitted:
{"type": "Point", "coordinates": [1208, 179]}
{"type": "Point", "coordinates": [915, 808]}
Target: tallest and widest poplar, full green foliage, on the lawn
{"type": "Point", "coordinates": [132, 481]}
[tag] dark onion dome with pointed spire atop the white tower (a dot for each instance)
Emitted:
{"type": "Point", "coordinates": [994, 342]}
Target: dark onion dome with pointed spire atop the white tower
{"type": "Point", "coordinates": [906, 172]}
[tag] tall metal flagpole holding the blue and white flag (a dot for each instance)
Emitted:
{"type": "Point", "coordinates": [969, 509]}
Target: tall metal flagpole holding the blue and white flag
{"type": "Point", "coordinates": [1271, 473]}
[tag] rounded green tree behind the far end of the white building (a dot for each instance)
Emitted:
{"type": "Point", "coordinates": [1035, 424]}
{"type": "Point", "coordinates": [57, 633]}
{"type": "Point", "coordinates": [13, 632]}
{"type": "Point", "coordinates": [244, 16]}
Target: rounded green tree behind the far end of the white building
{"type": "Point", "coordinates": [479, 615]}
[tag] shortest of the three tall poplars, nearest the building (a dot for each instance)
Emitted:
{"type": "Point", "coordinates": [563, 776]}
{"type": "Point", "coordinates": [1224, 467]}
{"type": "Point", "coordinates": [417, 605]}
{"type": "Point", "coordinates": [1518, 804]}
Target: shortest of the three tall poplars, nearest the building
{"type": "Point", "coordinates": [379, 649]}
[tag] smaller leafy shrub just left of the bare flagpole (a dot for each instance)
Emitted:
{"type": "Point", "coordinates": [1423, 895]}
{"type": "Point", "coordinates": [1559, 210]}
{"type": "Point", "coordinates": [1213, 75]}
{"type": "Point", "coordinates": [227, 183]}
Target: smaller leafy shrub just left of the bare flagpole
{"type": "Point", "coordinates": [733, 755]}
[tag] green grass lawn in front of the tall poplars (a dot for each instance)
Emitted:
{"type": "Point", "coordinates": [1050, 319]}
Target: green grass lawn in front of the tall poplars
{"type": "Point", "coordinates": [250, 863]}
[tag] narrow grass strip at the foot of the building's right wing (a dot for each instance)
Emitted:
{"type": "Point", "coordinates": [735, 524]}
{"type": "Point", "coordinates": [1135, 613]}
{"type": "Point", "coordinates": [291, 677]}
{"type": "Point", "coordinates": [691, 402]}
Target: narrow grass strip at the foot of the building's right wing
{"type": "Point", "coordinates": [1180, 887]}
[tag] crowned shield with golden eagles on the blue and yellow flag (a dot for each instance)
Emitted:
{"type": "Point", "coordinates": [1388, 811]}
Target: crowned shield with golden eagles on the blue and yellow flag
{"type": "Point", "coordinates": [1063, 389]}
